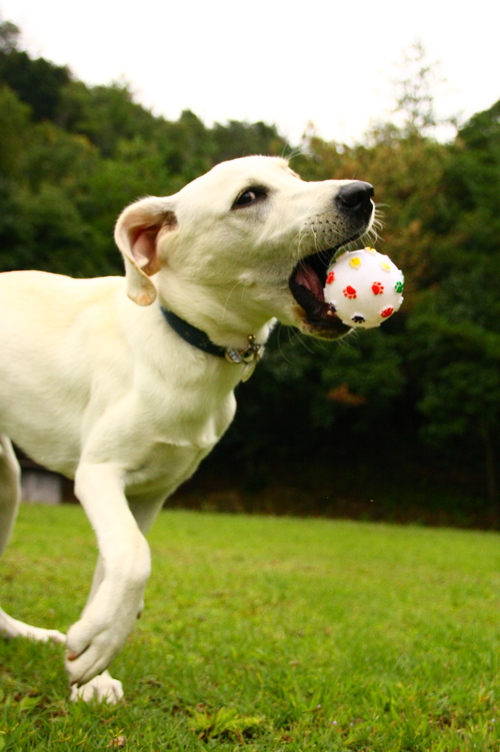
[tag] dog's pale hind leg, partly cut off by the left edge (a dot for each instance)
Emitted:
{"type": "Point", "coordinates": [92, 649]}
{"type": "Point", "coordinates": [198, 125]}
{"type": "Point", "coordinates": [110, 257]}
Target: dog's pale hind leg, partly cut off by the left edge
{"type": "Point", "coordinates": [10, 495]}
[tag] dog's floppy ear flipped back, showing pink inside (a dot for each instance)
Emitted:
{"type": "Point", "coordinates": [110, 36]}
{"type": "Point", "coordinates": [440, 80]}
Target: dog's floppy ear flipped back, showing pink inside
{"type": "Point", "coordinates": [136, 236]}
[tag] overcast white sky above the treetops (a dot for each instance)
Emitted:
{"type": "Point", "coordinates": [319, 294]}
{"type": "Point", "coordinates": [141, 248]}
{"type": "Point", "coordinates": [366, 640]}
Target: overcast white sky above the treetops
{"type": "Point", "coordinates": [328, 62]}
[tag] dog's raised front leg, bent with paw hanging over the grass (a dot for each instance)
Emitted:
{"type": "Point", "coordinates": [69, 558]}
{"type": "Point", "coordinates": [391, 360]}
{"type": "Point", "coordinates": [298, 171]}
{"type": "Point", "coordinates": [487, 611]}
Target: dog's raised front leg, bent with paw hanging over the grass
{"type": "Point", "coordinates": [117, 595]}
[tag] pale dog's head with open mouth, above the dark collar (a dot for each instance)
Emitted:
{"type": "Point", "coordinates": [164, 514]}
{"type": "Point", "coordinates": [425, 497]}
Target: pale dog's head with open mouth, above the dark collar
{"type": "Point", "coordinates": [246, 242]}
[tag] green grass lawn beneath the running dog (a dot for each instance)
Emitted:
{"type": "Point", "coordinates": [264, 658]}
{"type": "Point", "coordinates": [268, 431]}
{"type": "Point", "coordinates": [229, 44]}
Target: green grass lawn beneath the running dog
{"type": "Point", "coordinates": [265, 634]}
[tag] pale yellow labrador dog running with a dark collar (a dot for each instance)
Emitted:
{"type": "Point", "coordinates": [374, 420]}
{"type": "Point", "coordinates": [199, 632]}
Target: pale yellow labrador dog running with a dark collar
{"type": "Point", "coordinates": [126, 383]}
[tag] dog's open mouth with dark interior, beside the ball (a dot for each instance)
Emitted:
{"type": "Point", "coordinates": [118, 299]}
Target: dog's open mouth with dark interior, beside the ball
{"type": "Point", "coordinates": [306, 284]}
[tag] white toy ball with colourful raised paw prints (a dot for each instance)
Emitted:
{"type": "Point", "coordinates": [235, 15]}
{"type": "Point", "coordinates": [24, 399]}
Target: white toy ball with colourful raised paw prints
{"type": "Point", "coordinates": [364, 288]}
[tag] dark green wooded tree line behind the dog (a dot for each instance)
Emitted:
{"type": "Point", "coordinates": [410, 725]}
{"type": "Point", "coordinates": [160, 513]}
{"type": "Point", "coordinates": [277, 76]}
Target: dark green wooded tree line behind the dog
{"type": "Point", "coordinates": [407, 412]}
